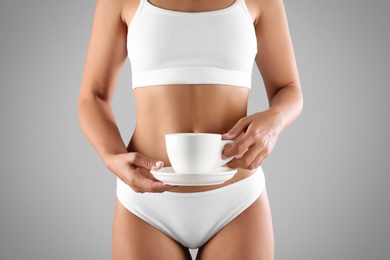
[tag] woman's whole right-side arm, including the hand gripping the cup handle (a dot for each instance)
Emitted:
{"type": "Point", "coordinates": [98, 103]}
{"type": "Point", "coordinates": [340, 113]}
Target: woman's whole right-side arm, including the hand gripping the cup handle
{"type": "Point", "coordinates": [256, 135]}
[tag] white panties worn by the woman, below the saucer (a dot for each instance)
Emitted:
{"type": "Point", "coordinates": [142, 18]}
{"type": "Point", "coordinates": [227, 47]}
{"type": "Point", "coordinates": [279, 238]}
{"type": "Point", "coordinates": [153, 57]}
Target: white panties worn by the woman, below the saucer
{"type": "Point", "coordinates": [193, 218]}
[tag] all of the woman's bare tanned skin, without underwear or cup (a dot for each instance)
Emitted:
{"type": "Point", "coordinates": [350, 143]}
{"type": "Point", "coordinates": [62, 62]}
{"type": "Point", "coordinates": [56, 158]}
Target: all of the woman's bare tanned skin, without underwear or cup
{"type": "Point", "coordinates": [188, 108]}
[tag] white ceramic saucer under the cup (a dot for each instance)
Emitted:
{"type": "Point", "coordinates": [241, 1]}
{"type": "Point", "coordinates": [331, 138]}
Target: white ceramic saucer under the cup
{"type": "Point", "coordinates": [217, 176]}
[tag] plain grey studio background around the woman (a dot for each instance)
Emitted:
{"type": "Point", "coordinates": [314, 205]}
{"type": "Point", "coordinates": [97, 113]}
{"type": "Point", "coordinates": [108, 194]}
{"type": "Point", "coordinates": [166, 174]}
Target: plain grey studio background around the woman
{"type": "Point", "coordinates": [327, 177]}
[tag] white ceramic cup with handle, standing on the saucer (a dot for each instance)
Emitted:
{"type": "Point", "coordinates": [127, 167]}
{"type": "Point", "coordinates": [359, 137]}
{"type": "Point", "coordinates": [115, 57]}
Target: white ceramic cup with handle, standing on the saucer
{"type": "Point", "coordinates": [196, 152]}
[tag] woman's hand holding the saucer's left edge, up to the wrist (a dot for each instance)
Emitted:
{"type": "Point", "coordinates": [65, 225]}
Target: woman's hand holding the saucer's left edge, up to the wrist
{"type": "Point", "coordinates": [134, 170]}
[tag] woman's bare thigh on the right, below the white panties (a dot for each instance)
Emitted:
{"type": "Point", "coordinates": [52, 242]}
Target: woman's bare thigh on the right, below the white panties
{"type": "Point", "coordinates": [249, 236]}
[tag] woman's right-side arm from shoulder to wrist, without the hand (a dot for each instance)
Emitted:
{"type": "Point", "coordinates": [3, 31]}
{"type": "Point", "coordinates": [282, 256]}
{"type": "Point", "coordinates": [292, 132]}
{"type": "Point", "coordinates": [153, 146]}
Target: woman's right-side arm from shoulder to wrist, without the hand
{"type": "Point", "coordinates": [276, 61]}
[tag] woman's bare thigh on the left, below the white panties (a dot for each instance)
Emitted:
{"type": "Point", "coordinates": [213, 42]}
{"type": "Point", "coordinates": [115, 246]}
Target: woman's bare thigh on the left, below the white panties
{"type": "Point", "coordinates": [133, 238]}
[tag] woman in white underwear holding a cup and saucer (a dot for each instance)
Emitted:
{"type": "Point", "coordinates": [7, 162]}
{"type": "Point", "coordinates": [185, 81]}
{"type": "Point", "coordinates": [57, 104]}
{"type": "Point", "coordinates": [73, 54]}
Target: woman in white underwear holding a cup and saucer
{"type": "Point", "coordinates": [191, 67]}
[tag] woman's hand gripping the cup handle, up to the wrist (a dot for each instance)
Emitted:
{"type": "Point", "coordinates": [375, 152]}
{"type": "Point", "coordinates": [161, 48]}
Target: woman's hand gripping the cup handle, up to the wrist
{"type": "Point", "coordinates": [254, 139]}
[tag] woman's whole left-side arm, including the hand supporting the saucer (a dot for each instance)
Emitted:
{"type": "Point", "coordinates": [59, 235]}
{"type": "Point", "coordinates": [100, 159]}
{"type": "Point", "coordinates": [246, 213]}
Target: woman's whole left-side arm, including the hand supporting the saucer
{"type": "Point", "coordinates": [105, 58]}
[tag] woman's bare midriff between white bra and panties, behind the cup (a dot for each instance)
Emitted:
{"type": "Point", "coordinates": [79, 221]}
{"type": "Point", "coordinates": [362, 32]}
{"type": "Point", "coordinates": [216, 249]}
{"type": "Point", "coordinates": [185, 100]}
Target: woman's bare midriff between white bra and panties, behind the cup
{"type": "Point", "coordinates": [185, 109]}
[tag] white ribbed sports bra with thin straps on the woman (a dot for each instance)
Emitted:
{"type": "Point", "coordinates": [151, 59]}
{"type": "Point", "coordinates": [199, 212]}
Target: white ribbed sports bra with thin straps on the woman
{"type": "Point", "coordinates": [172, 47]}
